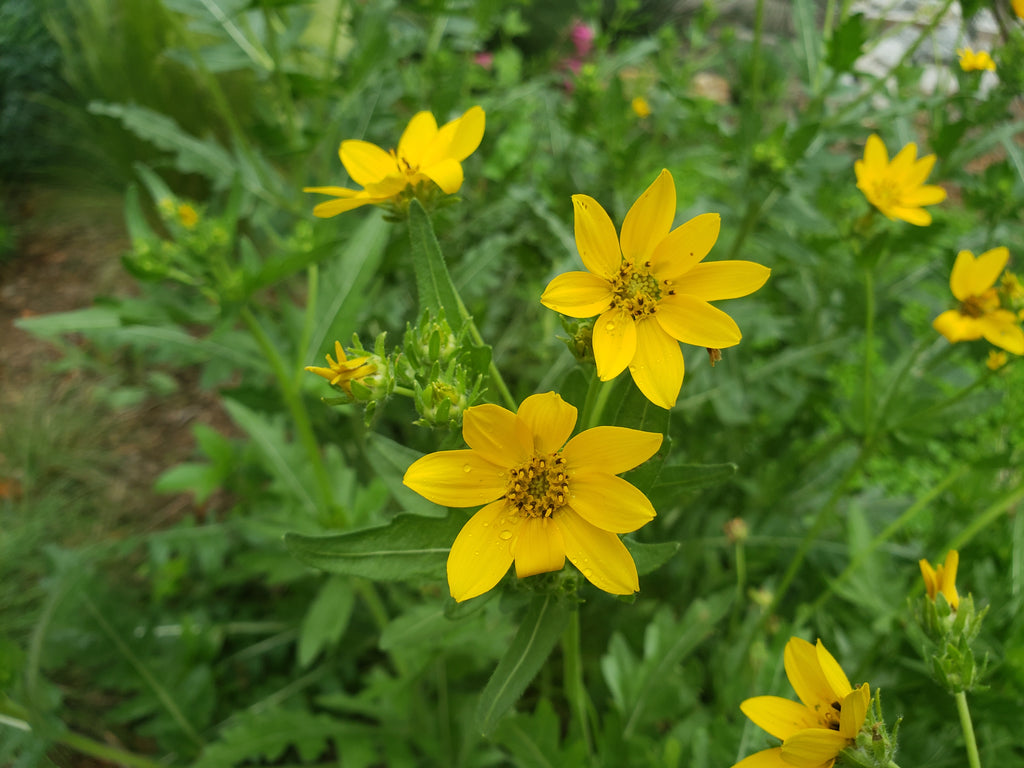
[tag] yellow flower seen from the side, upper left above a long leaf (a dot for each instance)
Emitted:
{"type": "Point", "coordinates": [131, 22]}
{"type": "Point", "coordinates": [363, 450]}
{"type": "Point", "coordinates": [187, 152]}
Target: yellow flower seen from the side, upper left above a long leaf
{"type": "Point", "coordinates": [425, 154]}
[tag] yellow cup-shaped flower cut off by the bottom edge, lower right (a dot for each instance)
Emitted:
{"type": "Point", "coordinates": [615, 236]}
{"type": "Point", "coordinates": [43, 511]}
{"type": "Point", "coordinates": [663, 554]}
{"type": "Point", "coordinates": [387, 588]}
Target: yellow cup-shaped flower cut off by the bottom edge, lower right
{"type": "Point", "coordinates": [817, 732]}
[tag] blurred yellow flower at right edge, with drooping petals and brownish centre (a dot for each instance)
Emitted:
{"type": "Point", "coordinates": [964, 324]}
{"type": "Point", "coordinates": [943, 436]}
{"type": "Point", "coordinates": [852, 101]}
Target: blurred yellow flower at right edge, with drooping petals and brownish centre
{"type": "Point", "coordinates": [973, 283]}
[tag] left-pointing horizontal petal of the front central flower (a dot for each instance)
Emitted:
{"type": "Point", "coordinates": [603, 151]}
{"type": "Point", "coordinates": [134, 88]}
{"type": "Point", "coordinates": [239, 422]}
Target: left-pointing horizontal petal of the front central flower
{"type": "Point", "coordinates": [456, 479]}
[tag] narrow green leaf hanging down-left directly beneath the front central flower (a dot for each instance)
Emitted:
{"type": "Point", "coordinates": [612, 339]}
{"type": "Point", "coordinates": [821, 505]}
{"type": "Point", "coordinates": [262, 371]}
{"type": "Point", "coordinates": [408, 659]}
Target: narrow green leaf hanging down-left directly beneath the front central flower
{"type": "Point", "coordinates": [534, 642]}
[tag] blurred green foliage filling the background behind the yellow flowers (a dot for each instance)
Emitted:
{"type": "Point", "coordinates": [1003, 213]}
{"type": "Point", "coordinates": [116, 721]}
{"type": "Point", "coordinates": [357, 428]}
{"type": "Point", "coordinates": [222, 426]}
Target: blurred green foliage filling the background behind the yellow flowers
{"type": "Point", "coordinates": [850, 439]}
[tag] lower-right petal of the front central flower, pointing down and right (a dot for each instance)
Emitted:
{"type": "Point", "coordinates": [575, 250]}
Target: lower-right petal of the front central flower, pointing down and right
{"type": "Point", "coordinates": [603, 560]}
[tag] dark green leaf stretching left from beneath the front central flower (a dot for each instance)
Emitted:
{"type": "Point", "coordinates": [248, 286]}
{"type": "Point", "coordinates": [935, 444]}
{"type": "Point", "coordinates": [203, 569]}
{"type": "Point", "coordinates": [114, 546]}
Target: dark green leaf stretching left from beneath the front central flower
{"type": "Point", "coordinates": [410, 547]}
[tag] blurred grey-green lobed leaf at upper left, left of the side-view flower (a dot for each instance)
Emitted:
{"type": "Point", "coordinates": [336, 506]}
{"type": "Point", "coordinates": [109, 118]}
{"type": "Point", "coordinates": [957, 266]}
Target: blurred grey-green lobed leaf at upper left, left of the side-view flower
{"type": "Point", "coordinates": [192, 155]}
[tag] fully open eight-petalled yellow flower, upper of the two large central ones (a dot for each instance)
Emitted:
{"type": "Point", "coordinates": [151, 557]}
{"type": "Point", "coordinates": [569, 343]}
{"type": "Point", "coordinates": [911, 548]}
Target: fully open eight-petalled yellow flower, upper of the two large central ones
{"type": "Point", "coordinates": [653, 292]}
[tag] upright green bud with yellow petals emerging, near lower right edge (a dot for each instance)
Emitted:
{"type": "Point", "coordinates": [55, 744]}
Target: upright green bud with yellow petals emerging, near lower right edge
{"type": "Point", "coordinates": [947, 626]}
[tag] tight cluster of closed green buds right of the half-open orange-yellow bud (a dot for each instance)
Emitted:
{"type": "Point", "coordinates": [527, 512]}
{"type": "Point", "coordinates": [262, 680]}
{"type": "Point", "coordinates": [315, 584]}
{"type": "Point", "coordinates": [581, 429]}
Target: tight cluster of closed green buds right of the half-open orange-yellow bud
{"type": "Point", "coordinates": [443, 370]}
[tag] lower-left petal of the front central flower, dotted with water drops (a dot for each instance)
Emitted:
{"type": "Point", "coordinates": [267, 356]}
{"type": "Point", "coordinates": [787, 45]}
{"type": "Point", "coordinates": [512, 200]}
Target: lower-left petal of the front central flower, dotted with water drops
{"type": "Point", "coordinates": [480, 557]}
